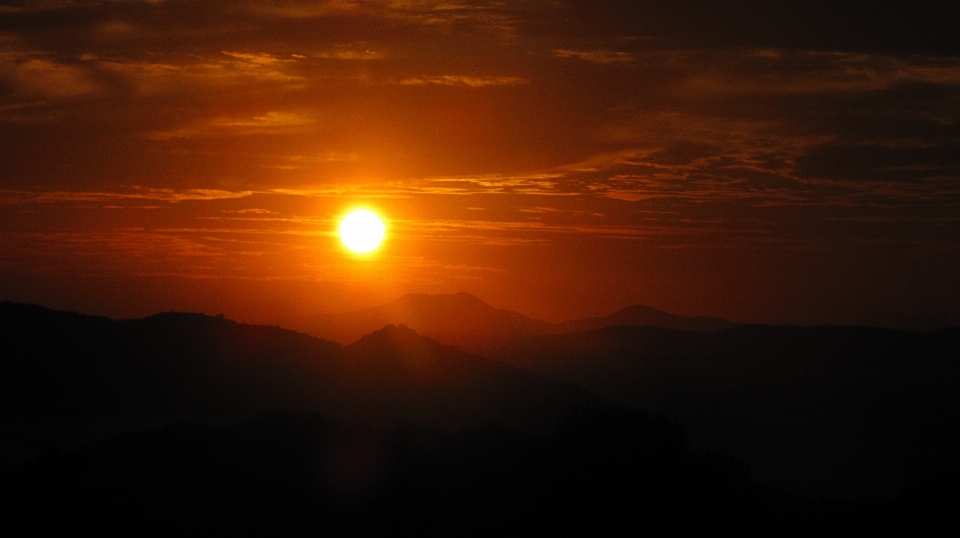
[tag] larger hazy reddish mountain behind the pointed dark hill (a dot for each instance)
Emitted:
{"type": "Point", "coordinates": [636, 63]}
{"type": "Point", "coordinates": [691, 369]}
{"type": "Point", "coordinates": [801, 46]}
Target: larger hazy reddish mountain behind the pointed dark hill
{"type": "Point", "coordinates": [445, 317]}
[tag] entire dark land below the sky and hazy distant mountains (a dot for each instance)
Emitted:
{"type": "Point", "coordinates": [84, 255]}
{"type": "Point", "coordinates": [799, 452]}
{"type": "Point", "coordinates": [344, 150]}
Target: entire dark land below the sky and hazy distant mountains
{"type": "Point", "coordinates": [195, 424]}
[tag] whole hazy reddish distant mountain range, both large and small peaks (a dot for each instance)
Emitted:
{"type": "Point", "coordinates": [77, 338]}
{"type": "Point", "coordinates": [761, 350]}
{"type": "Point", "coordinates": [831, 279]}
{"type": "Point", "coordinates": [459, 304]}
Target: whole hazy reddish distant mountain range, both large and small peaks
{"type": "Point", "coordinates": [463, 319]}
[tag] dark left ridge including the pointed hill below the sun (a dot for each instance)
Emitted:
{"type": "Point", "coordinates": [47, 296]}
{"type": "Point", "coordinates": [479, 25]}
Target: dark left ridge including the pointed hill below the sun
{"type": "Point", "coordinates": [66, 375]}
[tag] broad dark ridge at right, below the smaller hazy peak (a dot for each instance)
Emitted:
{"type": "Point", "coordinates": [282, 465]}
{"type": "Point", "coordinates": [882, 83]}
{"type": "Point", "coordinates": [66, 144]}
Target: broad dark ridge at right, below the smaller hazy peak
{"type": "Point", "coordinates": [841, 411]}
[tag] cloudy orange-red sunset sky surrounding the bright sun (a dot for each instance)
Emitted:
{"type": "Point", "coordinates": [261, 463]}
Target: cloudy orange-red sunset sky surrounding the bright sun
{"type": "Point", "coordinates": [757, 160]}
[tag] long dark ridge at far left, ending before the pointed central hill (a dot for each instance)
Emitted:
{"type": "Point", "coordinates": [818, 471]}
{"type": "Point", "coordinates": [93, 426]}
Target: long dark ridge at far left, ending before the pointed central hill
{"type": "Point", "coordinates": [62, 366]}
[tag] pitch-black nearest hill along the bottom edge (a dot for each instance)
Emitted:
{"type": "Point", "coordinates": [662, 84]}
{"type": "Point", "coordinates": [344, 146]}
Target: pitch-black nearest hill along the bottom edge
{"type": "Point", "coordinates": [604, 470]}
